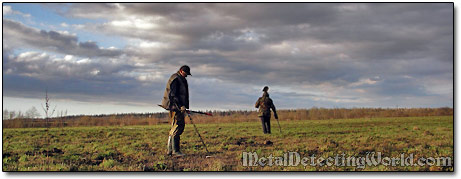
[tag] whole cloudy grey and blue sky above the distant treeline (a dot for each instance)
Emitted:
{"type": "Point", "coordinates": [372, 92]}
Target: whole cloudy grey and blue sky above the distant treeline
{"type": "Point", "coordinates": [113, 58]}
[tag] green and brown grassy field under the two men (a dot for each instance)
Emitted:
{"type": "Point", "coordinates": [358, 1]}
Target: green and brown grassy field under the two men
{"type": "Point", "coordinates": [143, 148]}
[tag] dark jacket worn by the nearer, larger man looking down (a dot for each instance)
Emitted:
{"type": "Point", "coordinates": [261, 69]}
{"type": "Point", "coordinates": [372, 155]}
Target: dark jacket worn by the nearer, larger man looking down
{"type": "Point", "coordinates": [176, 92]}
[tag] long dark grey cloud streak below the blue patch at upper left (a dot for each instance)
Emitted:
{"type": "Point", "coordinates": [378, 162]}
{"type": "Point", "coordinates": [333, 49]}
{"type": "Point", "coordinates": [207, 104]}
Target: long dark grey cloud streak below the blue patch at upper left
{"type": "Point", "coordinates": [19, 35]}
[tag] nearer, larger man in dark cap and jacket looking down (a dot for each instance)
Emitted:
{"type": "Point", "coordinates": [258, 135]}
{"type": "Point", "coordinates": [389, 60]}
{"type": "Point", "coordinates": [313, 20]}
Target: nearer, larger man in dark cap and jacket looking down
{"type": "Point", "coordinates": [176, 100]}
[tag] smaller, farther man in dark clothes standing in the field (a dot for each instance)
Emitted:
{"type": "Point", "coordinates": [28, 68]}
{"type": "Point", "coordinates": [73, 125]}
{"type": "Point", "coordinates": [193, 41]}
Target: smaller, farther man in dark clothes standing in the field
{"type": "Point", "coordinates": [265, 105]}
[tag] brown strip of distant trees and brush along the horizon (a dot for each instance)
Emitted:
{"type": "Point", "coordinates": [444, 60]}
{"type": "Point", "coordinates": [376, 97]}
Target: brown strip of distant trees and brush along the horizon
{"type": "Point", "coordinates": [225, 116]}
